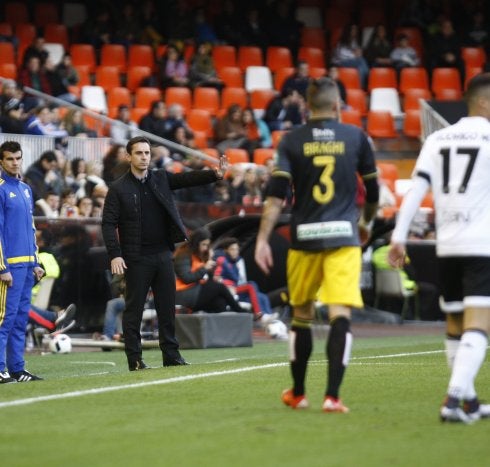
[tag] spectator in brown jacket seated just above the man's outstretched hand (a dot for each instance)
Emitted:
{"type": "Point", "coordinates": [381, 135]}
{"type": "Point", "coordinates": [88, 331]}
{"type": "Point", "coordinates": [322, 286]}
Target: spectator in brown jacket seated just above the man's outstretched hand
{"type": "Point", "coordinates": [230, 132]}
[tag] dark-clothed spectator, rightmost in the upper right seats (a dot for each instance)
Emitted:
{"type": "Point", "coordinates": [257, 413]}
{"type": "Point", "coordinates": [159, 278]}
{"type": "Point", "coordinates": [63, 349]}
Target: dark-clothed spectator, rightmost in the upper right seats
{"type": "Point", "coordinates": [446, 48]}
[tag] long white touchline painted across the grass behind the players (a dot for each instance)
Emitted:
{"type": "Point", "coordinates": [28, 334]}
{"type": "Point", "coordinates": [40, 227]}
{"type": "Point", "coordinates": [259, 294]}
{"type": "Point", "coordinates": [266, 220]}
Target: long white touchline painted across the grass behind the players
{"type": "Point", "coordinates": [88, 392]}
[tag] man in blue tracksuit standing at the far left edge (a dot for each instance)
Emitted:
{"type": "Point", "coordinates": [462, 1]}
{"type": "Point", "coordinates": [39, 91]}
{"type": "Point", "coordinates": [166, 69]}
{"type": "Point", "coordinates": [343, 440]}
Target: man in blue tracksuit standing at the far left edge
{"type": "Point", "coordinates": [19, 264]}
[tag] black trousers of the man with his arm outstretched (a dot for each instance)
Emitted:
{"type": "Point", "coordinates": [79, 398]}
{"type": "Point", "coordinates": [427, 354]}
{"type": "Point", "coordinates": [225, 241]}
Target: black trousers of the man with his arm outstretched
{"type": "Point", "coordinates": [155, 271]}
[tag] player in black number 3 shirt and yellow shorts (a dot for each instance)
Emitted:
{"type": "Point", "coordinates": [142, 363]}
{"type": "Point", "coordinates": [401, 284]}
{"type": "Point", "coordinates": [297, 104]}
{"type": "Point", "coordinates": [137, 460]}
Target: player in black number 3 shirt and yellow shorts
{"type": "Point", "coordinates": [321, 160]}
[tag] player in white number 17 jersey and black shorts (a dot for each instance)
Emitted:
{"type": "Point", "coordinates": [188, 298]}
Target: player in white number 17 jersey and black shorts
{"type": "Point", "coordinates": [455, 163]}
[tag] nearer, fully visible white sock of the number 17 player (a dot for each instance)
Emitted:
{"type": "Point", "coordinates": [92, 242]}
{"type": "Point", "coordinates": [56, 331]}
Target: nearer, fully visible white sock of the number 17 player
{"type": "Point", "coordinates": [467, 363]}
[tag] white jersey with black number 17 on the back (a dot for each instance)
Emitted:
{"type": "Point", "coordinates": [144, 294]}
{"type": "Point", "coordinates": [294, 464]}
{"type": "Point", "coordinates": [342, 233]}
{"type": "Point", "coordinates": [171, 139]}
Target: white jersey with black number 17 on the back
{"type": "Point", "coordinates": [456, 162]}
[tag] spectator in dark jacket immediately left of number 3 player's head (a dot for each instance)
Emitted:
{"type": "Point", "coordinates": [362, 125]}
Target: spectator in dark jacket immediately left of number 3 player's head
{"type": "Point", "coordinates": [284, 112]}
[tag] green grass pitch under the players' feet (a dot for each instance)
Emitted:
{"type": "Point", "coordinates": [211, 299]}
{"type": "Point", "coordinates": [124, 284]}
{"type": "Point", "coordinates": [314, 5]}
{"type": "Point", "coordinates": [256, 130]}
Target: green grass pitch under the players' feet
{"type": "Point", "coordinates": [213, 413]}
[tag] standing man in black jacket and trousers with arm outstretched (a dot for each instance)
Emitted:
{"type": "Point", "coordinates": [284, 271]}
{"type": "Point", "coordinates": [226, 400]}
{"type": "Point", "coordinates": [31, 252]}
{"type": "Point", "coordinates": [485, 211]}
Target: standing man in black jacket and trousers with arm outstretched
{"type": "Point", "coordinates": [140, 226]}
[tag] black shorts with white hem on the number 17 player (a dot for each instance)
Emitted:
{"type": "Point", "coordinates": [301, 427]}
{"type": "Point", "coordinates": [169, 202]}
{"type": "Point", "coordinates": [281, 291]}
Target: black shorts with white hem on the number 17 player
{"type": "Point", "coordinates": [465, 282]}
